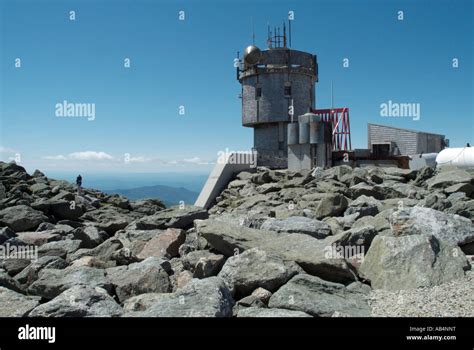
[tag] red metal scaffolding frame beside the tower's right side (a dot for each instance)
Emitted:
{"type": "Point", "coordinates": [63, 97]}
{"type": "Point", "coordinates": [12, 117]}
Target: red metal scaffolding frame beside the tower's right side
{"type": "Point", "coordinates": [341, 128]}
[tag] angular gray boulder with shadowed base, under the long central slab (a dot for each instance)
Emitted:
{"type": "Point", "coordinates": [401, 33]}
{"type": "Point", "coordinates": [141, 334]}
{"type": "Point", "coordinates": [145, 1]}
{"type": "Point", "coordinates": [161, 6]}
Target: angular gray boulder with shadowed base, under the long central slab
{"type": "Point", "coordinates": [255, 268]}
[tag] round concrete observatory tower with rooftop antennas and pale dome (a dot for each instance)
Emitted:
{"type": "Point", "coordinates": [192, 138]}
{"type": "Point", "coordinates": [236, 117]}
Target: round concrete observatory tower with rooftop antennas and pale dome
{"type": "Point", "coordinates": [278, 84]}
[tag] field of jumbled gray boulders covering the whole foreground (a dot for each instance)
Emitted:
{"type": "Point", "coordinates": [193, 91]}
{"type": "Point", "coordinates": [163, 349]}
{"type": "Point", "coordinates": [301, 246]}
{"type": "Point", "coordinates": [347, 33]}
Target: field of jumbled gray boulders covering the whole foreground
{"type": "Point", "coordinates": [334, 243]}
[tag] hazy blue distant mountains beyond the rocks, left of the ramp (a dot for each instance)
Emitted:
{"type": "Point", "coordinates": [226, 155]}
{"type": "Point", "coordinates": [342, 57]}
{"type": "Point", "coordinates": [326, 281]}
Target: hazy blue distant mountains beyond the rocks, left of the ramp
{"type": "Point", "coordinates": [169, 195]}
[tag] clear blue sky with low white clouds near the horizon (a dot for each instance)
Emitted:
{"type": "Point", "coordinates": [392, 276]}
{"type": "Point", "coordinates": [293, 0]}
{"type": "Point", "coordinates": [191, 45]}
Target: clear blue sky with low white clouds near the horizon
{"type": "Point", "coordinates": [190, 63]}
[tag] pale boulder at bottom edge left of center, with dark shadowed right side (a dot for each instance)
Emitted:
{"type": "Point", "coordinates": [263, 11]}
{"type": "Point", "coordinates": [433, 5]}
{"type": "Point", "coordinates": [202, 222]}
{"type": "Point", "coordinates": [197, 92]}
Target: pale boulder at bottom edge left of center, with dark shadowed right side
{"type": "Point", "coordinates": [207, 297]}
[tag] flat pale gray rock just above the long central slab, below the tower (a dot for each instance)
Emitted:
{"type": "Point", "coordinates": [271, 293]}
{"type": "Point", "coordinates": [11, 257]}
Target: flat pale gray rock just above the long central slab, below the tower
{"type": "Point", "coordinates": [298, 224]}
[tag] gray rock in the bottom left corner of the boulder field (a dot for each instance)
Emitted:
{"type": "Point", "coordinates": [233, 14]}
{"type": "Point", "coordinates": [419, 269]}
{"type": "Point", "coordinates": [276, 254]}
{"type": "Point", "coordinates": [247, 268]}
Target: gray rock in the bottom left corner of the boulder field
{"type": "Point", "coordinates": [13, 304]}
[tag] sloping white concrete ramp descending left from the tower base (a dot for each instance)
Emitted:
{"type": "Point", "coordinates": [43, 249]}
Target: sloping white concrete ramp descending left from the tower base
{"type": "Point", "coordinates": [220, 176]}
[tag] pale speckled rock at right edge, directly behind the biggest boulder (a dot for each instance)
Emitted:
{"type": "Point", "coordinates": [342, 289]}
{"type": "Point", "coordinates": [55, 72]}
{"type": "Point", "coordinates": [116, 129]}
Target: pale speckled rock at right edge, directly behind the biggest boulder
{"type": "Point", "coordinates": [417, 220]}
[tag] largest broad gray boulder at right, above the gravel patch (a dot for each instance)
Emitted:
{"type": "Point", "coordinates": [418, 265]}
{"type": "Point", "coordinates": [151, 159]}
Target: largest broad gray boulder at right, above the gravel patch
{"type": "Point", "coordinates": [413, 261]}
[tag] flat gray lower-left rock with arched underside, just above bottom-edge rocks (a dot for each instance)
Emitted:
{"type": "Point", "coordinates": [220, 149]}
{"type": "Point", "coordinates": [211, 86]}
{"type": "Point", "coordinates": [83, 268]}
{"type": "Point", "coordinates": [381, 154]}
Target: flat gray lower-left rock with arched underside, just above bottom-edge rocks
{"type": "Point", "coordinates": [52, 282]}
